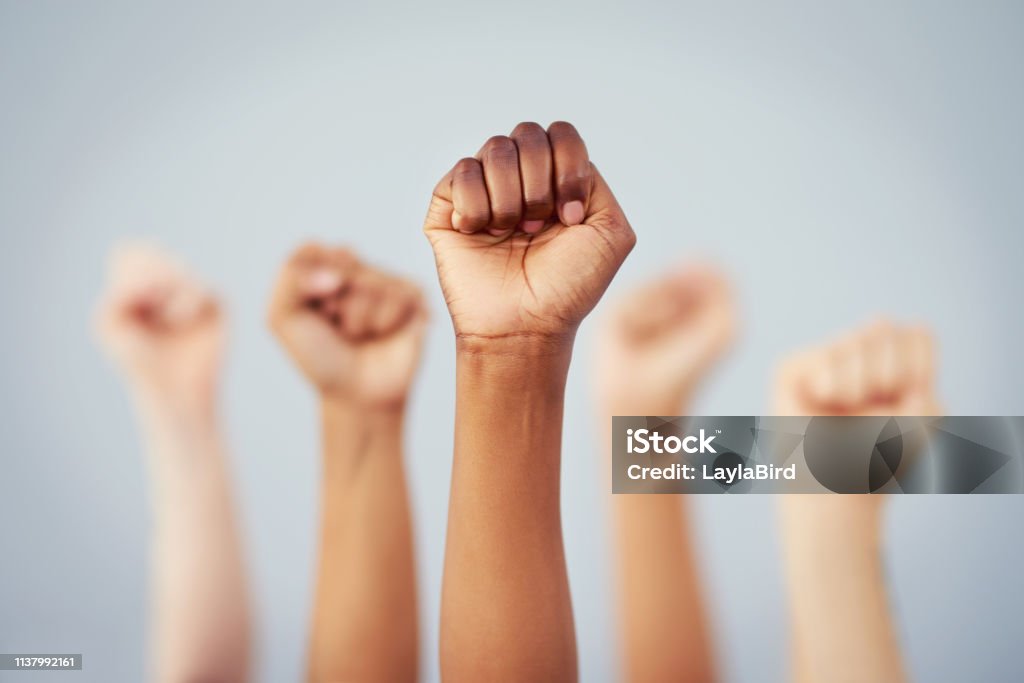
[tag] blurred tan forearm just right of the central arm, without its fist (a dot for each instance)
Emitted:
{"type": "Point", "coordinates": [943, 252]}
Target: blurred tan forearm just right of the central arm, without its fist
{"type": "Point", "coordinates": [661, 604]}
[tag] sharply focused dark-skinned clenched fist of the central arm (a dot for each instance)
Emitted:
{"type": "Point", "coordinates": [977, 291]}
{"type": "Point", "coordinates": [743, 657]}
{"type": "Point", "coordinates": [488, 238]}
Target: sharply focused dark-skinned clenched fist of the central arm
{"type": "Point", "coordinates": [527, 236]}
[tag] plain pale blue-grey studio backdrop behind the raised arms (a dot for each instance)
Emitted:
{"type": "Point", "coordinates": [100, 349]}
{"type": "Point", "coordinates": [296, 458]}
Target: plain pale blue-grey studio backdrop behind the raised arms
{"type": "Point", "coordinates": [841, 163]}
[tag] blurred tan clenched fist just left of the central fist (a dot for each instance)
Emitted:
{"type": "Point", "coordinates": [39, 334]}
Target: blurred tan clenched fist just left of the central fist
{"type": "Point", "coordinates": [354, 331]}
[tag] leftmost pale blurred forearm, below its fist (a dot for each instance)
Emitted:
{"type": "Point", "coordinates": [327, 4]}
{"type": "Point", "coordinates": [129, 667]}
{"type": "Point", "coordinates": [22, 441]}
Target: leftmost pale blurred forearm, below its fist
{"type": "Point", "coordinates": [201, 613]}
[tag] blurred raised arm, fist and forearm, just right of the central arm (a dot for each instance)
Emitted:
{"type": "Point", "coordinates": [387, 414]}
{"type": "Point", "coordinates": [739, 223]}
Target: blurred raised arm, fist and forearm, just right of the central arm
{"type": "Point", "coordinates": [655, 350]}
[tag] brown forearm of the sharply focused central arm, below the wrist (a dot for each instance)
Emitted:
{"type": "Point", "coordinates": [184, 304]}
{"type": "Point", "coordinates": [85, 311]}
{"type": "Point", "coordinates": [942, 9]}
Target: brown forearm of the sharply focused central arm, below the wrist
{"type": "Point", "coordinates": [506, 612]}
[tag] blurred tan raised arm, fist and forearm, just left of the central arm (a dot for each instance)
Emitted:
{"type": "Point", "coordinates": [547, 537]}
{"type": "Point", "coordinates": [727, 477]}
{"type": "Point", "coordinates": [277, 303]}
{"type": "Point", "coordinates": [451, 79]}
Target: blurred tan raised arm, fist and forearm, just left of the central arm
{"type": "Point", "coordinates": [357, 335]}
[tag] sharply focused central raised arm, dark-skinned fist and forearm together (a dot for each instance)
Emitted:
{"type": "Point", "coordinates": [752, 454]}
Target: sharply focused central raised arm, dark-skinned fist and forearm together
{"type": "Point", "coordinates": [527, 237]}
